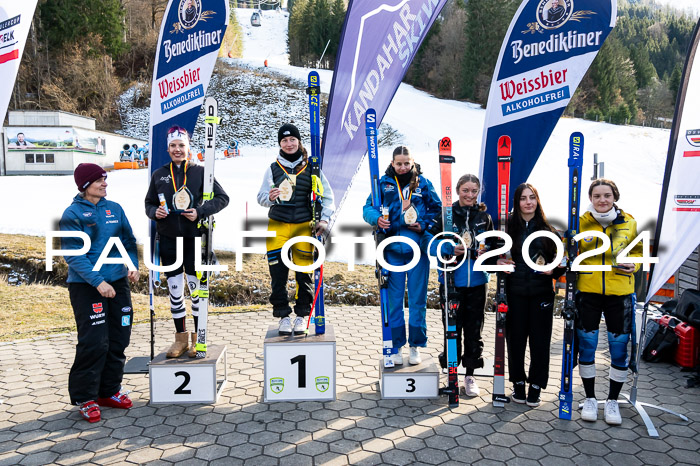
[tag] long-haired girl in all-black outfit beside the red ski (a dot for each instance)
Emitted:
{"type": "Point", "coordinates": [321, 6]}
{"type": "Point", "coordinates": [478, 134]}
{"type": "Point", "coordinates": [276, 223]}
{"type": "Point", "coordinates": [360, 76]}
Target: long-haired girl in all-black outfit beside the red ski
{"type": "Point", "coordinates": [530, 297]}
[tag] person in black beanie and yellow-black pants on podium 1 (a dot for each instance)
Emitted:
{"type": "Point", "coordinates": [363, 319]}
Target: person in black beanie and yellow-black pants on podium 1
{"type": "Point", "coordinates": [286, 190]}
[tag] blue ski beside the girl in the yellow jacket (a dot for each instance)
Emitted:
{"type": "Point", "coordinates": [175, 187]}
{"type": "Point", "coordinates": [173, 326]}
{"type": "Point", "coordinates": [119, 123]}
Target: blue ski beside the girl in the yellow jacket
{"type": "Point", "coordinates": [566, 396]}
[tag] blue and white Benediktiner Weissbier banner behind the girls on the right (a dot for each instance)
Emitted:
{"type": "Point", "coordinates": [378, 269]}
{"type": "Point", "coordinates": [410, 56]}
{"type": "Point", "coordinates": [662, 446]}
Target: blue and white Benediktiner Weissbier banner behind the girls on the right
{"type": "Point", "coordinates": [548, 48]}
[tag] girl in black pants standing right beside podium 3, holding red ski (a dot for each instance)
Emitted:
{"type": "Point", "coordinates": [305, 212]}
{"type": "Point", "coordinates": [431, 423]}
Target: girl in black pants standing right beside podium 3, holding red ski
{"type": "Point", "coordinates": [469, 220]}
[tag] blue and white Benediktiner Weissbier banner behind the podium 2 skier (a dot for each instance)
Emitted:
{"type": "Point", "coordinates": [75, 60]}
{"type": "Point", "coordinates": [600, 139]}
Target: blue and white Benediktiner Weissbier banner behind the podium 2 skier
{"type": "Point", "coordinates": [189, 42]}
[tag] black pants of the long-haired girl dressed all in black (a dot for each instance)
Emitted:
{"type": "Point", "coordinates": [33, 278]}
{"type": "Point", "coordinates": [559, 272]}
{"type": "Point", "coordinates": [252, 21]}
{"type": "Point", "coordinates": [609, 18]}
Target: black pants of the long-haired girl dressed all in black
{"type": "Point", "coordinates": [529, 320]}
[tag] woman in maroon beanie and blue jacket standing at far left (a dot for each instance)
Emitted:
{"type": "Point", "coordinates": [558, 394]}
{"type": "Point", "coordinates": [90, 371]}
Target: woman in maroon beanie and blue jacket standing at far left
{"type": "Point", "coordinates": [101, 299]}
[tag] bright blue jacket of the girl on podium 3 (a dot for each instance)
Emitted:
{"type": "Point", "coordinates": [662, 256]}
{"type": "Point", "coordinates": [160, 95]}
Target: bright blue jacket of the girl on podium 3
{"type": "Point", "coordinates": [424, 199]}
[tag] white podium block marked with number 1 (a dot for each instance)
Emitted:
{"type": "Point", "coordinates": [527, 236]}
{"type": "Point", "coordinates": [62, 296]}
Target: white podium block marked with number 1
{"type": "Point", "coordinates": [299, 367]}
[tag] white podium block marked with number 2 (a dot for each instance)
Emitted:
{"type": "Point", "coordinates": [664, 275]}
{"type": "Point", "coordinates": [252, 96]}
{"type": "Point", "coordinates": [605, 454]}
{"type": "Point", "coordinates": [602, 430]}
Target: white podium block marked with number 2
{"type": "Point", "coordinates": [188, 380]}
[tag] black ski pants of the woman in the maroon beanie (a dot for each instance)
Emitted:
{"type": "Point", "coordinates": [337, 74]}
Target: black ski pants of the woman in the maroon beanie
{"type": "Point", "coordinates": [104, 330]}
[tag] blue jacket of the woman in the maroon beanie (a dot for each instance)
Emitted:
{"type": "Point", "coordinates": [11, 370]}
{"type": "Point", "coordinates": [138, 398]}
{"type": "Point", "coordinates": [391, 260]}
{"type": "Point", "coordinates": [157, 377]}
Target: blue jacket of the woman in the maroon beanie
{"type": "Point", "coordinates": [100, 222]}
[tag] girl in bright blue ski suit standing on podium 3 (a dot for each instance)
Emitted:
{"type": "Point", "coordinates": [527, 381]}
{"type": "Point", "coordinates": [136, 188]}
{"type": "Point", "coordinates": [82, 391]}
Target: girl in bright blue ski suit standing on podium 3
{"type": "Point", "coordinates": [413, 206]}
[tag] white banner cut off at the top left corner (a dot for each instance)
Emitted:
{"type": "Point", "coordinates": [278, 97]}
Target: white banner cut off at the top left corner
{"type": "Point", "coordinates": [15, 19]}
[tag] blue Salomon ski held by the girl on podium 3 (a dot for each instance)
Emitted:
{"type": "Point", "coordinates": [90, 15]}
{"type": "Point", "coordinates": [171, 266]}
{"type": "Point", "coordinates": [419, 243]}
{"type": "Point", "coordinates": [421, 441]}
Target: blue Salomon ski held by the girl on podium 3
{"type": "Point", "coordinates": [379, 235]}
